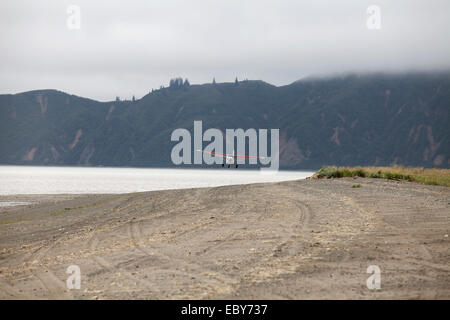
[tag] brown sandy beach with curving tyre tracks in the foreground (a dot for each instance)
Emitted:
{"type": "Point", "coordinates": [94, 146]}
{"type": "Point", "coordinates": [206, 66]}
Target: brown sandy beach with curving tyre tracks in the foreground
{"type": "Point", "coordinates": [305, 239]}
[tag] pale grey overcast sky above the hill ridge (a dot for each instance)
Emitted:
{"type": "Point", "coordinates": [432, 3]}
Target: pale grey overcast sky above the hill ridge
{"type": "Point", "coordinates": [129, 47]}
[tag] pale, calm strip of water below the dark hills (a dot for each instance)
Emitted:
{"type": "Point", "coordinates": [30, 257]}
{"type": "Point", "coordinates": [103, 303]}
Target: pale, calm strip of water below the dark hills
{"type": "Point", "coordinates": [60, 180]}
